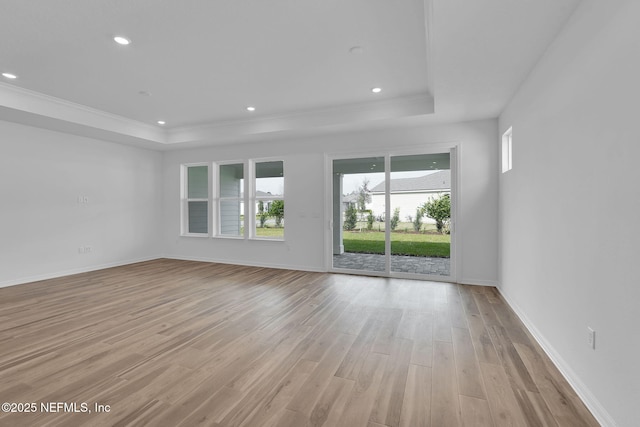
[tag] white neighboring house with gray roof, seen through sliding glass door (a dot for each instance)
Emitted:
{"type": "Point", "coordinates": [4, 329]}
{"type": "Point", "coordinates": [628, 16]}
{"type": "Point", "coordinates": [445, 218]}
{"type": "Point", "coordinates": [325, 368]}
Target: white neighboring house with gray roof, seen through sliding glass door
{"type": "Point", "coordinates": [409, 193]}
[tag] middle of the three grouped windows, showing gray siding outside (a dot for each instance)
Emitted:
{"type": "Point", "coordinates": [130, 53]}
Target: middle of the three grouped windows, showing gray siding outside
{"type": "Point", "coordinates": [231, 199]}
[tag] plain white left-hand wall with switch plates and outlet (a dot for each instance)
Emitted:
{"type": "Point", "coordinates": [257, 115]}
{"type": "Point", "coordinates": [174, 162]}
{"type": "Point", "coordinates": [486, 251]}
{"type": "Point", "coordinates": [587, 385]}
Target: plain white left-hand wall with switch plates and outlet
{"type": "Point", "coordinates": [42, 225]}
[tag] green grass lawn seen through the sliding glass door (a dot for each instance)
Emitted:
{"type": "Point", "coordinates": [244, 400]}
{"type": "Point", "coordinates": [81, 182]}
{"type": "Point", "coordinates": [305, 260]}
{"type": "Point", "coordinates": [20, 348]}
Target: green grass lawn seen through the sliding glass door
{"type": "Point", "coordinates": [422, 244]}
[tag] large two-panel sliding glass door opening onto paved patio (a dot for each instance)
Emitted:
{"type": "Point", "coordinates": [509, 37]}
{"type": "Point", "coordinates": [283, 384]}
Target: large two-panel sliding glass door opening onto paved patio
{"type": "Point", "coordinates": [392, 214]}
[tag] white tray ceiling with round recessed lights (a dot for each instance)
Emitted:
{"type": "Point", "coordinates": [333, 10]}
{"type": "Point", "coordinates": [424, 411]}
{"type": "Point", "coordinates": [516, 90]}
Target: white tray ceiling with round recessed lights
{"type": "Point", "coordinates": [198, 64]}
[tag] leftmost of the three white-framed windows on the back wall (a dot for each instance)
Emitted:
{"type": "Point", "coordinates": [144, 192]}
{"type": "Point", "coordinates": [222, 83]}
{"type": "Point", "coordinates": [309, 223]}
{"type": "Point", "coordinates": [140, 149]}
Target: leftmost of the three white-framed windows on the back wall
{"type": "Point", "coordinates": [195, 206]}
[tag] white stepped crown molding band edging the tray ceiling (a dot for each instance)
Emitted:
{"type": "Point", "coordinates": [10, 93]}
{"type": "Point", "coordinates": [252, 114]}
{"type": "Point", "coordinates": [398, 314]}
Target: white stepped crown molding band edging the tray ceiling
{"type": "Point", "coordinates": [35, 109]}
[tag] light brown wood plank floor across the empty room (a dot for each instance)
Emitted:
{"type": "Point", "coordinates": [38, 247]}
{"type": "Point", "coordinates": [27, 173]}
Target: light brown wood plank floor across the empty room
{"type": "Point", "coordinates": [173, 343]}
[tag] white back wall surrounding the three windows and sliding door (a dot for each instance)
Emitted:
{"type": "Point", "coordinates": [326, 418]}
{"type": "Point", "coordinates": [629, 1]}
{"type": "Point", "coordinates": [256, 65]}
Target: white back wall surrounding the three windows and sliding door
{"type": "Point", "coordinates": [304, 245]}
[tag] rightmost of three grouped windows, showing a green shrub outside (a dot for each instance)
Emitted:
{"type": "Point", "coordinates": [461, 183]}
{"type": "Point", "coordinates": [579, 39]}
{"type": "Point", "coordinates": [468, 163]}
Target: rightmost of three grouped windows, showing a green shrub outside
{"type": "Point", "coordinates": [268, 200]}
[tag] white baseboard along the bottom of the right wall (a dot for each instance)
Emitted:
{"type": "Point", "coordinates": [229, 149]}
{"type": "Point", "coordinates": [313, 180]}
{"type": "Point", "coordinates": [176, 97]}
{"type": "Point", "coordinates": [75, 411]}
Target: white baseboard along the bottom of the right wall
{"type": "Point", "coordinates": [593, 404]}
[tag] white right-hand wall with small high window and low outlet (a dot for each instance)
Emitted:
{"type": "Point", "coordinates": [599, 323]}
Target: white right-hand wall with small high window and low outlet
{"type": "Point", "coordinates": [569, 257]}
